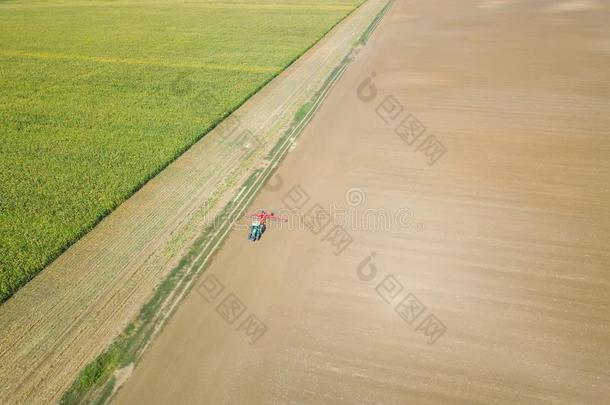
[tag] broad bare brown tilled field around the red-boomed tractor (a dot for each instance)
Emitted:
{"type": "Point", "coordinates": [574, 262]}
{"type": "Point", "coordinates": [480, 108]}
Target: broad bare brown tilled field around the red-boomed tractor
{"type": "Point", "coordinates": [513, 259]}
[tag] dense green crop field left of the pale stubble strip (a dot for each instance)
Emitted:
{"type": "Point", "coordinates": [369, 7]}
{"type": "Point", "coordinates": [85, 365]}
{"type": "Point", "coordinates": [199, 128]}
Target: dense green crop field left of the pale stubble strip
{"type": "Point", "coordinates": [96, 97]}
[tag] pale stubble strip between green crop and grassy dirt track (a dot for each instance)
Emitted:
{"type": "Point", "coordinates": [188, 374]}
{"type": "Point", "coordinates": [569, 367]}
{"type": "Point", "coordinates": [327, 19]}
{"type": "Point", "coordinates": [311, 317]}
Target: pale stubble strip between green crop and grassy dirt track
{"type": "Point", "coordinates": [77, 306]}
